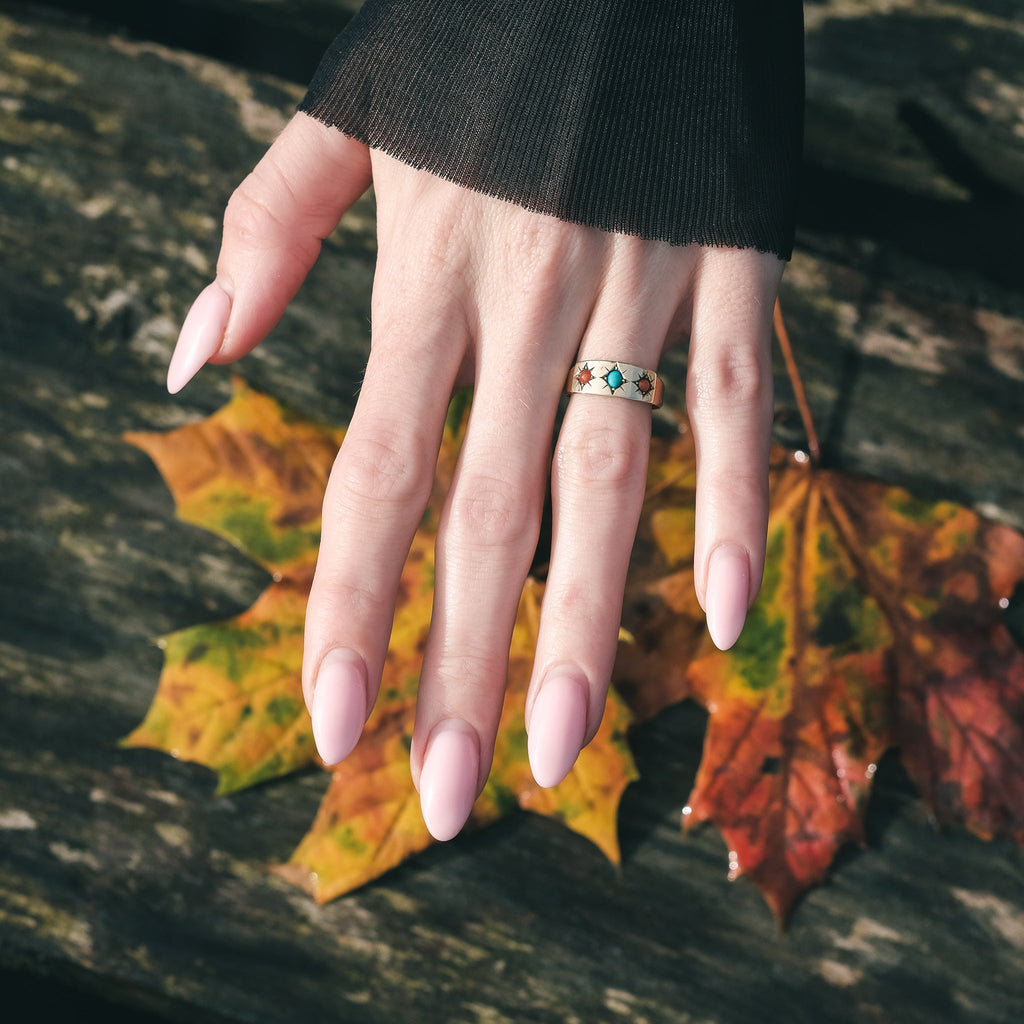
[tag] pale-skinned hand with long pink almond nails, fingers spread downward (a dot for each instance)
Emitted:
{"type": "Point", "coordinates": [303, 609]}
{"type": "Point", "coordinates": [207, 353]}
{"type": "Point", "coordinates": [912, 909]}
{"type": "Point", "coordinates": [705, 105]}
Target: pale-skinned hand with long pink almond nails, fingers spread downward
{"type": "Point", "coordinates": [470, 289]}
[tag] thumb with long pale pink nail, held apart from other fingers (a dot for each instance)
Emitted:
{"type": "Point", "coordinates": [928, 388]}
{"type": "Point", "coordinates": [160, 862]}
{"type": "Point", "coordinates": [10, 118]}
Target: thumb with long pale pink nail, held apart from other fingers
{"type": "Point", "coordinates": [274, 227]}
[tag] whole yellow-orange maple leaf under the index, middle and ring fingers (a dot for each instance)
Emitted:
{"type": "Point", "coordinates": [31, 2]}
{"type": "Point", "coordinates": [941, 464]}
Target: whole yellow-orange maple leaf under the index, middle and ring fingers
{"type": "Point", "coordinates": [230, 696]}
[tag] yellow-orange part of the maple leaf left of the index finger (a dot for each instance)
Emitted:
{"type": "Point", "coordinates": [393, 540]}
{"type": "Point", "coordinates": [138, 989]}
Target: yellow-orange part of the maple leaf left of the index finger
{"type": "Point", "coordinates": [231, 694]}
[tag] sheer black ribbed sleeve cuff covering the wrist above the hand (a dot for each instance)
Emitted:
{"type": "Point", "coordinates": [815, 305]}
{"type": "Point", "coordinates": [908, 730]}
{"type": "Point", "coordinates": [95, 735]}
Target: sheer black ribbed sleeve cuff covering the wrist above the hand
{"type": "Point", "coordinates": [676, 120]}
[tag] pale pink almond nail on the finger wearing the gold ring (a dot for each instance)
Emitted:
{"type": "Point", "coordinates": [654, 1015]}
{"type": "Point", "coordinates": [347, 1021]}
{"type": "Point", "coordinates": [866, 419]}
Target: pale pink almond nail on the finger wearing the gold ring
{"type": "Point", "coordinates": [558, 729]}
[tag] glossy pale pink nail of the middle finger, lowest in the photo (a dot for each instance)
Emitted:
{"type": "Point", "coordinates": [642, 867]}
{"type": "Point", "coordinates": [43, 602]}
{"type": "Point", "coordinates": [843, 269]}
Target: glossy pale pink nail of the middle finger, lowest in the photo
{"type": "Point", "coordinates": [448, 783]}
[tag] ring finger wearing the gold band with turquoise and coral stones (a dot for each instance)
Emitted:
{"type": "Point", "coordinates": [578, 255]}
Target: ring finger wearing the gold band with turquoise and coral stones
{"type": "Point", "coordinates": [599, 480]}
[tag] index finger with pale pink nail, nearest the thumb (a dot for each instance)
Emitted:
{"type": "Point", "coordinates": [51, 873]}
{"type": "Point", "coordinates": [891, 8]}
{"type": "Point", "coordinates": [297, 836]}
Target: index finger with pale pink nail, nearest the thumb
{"type": "Point", "coordinates": [374, 502]}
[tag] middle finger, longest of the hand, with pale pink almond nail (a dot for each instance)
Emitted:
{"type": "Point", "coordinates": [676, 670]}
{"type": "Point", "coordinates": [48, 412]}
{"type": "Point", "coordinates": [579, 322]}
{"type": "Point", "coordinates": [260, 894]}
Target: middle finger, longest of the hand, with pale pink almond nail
{"type": "Point", "coordinates": [486, 544]}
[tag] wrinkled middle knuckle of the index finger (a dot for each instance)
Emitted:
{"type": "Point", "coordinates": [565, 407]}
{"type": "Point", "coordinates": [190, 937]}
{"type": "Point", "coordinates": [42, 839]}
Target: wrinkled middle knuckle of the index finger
{"type": "Point", "coordinates": [382, 471]}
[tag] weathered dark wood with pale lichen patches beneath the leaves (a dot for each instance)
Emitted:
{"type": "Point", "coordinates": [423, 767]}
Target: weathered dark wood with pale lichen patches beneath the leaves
{"type": "Point", "coordinates": [119, 870]}
